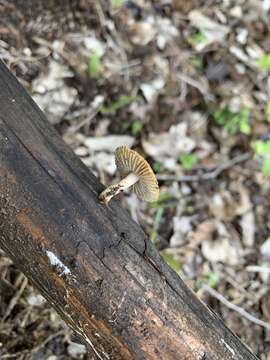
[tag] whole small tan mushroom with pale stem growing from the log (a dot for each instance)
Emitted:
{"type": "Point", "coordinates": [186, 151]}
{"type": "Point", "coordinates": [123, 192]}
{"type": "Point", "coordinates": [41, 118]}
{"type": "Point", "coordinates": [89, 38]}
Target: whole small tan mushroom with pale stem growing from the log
{"type": "Point", "coordinates": [136, 173]}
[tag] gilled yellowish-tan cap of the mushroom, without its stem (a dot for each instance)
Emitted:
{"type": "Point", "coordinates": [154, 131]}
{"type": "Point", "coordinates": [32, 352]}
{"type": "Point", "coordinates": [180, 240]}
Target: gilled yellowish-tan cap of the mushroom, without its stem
{"type": "Point", "coordinates": [127, 161]}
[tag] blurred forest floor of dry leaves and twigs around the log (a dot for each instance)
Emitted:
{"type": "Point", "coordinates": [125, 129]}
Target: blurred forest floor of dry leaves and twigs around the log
{"type": "Point", "coordinates": [186, 84]}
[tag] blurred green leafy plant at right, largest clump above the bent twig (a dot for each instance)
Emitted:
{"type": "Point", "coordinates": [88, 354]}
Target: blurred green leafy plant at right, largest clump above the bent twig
{"type": "Point", "coordinates": [233, 121]}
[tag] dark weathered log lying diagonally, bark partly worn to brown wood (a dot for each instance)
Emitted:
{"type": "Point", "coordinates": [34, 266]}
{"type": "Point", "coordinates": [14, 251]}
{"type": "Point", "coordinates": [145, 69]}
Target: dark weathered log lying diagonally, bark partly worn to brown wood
{"type": "Point", "coordinates": [93, 264]}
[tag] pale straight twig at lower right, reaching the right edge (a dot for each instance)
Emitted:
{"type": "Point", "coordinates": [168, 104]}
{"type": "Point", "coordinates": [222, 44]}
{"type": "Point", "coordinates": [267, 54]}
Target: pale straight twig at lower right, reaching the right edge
{"type": "Point", "coordinates": [234, 307]}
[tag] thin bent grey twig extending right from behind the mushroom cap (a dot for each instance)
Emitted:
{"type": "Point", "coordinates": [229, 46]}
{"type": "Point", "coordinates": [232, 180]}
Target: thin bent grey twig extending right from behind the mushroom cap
{"type": "Point", "coordinates": [207, 176]}
